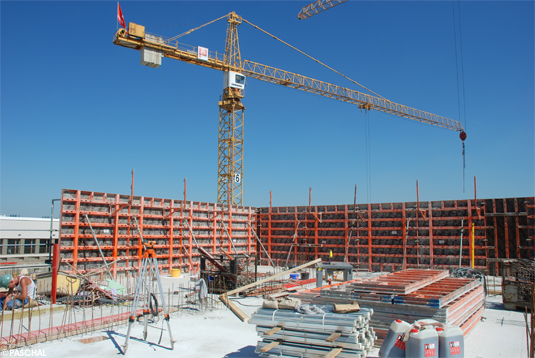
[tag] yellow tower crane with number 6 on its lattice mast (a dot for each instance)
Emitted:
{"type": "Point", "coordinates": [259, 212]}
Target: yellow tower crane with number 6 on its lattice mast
{"type": "Point", "coordinates": [230, 149]}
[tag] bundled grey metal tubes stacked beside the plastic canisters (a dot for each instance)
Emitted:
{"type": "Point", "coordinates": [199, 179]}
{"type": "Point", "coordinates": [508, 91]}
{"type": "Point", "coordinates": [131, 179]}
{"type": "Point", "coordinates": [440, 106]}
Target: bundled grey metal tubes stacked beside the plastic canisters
{"type": "Point", "coordinates": [291, 334]}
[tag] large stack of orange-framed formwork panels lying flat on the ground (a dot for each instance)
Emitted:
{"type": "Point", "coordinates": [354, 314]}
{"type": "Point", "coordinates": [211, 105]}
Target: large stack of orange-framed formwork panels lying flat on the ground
{"type": "Point", "coordinates": [409, 295]}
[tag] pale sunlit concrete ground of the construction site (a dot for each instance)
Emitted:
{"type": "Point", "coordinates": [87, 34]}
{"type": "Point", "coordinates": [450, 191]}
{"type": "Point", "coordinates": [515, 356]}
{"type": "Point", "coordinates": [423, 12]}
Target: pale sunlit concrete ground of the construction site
{"type": "Point", "coordinates": [216, 332]}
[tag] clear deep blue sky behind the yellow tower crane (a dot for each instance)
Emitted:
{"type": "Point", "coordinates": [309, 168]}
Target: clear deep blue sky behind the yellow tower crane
{"type": "Point", "coordinates": [78, 112]}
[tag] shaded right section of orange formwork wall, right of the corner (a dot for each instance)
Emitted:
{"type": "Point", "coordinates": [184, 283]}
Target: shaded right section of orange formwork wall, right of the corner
{"type": "Point", "coordinates": [383, 236]}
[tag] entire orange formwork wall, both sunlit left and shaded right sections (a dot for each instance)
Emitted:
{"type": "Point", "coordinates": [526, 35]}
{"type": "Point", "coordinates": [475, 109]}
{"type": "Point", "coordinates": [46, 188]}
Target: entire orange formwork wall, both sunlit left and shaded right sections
{"type": "Point", "coordinates": [370, 236]}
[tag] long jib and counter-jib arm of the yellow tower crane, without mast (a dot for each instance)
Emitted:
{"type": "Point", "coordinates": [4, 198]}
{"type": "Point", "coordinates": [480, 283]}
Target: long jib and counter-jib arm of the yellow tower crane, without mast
{"type": "Point", "coordinates": [270, 74]}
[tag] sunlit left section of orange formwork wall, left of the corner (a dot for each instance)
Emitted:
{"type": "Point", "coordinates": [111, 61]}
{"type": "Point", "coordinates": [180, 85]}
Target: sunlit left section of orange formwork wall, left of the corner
{"type": "Point", "coordinates": [165, 221]}
